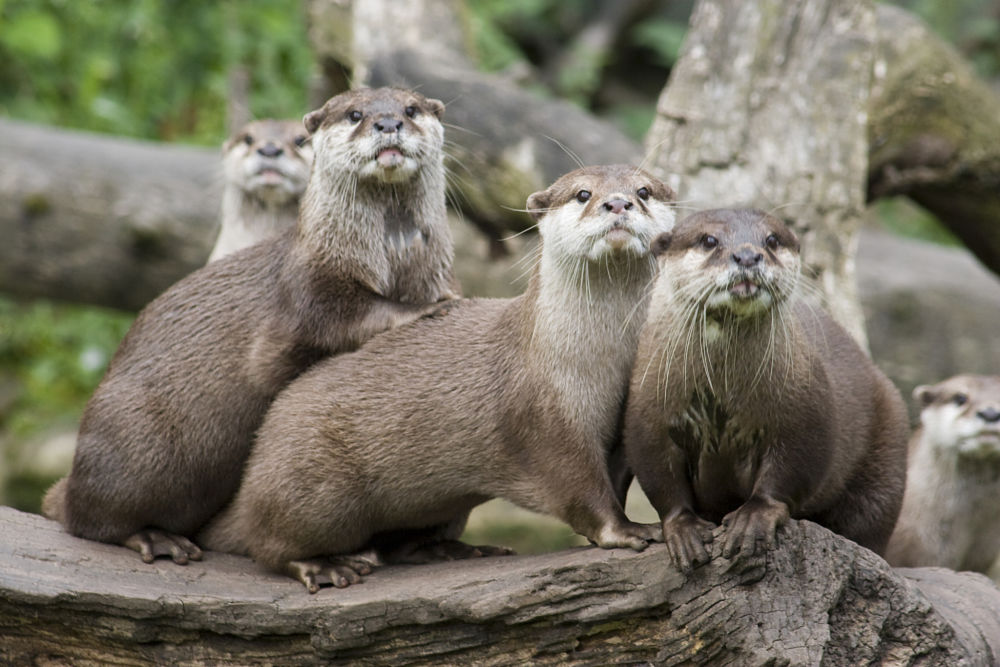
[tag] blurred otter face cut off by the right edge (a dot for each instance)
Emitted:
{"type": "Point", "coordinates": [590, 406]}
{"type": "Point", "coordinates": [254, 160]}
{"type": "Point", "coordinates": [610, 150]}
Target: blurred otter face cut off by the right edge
{"type": "Point", "coordinates": [961, 415]}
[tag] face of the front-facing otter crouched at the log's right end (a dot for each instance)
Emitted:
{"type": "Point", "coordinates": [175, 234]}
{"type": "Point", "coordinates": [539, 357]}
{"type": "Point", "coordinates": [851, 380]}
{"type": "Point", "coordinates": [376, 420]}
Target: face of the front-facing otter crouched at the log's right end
{"type": "Point", "coordinates": [739, 262]}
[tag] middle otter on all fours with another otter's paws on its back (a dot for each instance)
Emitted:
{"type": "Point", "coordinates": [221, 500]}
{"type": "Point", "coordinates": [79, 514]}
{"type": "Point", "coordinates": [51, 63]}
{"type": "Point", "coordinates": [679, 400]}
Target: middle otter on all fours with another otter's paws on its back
{"type": "Point", "coordinates": [514, 398]}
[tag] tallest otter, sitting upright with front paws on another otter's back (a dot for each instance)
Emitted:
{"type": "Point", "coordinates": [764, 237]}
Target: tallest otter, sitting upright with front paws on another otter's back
{"type": "Point", "coordinates": [165, 436]}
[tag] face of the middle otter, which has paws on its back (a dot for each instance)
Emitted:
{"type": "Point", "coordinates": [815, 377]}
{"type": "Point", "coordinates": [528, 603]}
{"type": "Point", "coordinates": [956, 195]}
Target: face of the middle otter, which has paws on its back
{"type": "Point", "coordinates": [603, 213]}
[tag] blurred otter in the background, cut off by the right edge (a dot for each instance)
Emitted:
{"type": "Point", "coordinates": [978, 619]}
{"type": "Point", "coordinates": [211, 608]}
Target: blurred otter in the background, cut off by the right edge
{"type": "Point", "coordinates": [953, 481]}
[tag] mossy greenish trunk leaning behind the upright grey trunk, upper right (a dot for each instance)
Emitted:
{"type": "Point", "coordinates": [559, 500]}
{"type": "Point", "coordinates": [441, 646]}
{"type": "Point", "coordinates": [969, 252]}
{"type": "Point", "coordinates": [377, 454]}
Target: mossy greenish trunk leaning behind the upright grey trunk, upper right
{"type": "Point", "coordinates": [934, 133]}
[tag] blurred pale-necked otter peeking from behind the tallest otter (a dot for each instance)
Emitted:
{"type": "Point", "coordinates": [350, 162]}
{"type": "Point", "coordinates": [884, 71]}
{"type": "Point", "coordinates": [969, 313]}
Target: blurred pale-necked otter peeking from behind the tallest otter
{"type": "Point", "coordinates": [266, 167]}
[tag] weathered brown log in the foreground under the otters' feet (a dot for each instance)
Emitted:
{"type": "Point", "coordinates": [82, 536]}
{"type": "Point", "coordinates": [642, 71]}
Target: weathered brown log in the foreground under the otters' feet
{"type": "Point", "coordinates": [822, 600]}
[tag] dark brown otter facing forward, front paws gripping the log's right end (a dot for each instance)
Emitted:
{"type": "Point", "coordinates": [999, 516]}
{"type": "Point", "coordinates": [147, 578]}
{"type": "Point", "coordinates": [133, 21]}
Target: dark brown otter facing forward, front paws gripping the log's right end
{"type": "Point", "coordinates": [749, 405]}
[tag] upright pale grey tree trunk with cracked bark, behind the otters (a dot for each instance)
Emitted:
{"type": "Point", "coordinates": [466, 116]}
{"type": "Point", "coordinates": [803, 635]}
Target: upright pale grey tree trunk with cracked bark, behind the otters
{"type": "Point", "coordinates": [767, 106]}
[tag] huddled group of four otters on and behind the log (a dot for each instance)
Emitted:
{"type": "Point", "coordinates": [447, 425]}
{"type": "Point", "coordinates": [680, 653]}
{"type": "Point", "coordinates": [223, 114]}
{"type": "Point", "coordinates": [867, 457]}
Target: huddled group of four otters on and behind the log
{"type": "Point", "coordinates": [324, 401]}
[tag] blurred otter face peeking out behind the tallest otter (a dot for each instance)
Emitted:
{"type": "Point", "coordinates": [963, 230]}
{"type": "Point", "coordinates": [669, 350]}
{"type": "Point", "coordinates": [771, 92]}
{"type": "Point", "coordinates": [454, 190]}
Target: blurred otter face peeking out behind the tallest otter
{"type": "Point", "coordinates": [269, 160]}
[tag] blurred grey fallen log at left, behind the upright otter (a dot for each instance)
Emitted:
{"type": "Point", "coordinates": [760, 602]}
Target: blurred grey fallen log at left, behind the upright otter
{"type": "Point", "coordinates": [101, 220]}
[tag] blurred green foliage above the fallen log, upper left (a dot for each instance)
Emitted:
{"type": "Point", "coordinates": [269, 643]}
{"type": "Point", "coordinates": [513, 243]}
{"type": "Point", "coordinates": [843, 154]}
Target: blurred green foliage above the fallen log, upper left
{"type": "Point", "coordinates": [150, 68]}
